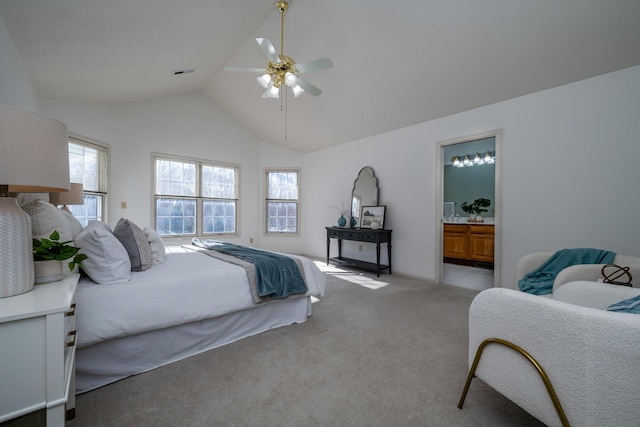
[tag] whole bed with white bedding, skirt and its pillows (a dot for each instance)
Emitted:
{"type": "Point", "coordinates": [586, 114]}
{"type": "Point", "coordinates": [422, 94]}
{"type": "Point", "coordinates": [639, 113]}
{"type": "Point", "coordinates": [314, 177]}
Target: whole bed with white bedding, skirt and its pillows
{"type": "Point", "coordinates": [141, 305]}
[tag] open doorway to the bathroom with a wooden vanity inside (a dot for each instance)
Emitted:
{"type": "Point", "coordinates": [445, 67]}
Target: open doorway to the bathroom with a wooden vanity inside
{"type": "Point", "coordinates": [468, 251]}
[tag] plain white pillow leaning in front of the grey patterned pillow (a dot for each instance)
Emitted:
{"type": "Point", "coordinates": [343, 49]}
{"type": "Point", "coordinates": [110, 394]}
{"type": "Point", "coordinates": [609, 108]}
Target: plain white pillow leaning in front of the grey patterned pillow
{"type": "Point", "coordinates": [108, 261]}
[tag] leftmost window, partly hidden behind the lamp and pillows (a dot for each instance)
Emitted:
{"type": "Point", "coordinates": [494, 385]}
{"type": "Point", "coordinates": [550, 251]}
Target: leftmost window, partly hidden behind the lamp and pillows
{"type": "Point", "coordinates": [88, 164]}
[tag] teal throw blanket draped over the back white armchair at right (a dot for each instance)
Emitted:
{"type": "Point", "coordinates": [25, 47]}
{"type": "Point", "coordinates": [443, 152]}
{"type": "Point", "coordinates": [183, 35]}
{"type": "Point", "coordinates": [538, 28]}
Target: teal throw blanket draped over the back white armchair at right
{"type": "Point", "coordinates": [540, 281]}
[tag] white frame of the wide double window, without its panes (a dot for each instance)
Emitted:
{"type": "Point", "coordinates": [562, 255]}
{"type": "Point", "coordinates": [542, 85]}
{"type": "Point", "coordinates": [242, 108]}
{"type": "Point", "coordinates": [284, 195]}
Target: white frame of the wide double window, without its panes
{"type": "Point", "coordinates": [198, 197]}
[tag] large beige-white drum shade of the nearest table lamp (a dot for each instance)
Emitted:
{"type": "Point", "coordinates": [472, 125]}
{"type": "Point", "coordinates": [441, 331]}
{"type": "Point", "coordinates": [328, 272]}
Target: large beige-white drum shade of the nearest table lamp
{"type": "Point", "coordinates": [34, 152]}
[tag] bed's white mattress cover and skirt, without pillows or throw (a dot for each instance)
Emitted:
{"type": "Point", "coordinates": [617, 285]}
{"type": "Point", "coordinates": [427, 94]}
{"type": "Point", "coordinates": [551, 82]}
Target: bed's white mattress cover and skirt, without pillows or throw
{"type": "Point", "coordinates": [188, 304]}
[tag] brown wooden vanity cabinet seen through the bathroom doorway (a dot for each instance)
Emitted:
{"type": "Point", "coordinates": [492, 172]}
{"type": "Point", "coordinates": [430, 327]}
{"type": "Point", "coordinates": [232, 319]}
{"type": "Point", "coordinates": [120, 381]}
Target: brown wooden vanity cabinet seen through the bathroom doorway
{"type": "Point", "coordinates": [472, 242]}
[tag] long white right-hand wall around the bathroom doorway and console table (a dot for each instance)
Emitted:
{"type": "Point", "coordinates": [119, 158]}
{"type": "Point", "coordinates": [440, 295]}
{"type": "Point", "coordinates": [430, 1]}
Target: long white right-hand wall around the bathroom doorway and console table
{"type": "Point", "coordinates": [569, 175]}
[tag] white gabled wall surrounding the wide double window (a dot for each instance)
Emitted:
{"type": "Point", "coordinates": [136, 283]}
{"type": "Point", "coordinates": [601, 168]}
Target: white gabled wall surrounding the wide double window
{"type": "Point", "coordinates": [187, 125]}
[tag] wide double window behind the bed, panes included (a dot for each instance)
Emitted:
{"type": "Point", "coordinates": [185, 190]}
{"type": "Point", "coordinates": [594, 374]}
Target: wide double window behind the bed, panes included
{"type": "Point", "coordinates": [195, 197]}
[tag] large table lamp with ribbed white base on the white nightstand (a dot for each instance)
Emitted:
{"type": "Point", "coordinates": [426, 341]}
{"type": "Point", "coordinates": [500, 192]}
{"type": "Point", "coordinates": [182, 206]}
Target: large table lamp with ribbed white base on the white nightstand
{"type": "Point", "coordinates": [34, 158]}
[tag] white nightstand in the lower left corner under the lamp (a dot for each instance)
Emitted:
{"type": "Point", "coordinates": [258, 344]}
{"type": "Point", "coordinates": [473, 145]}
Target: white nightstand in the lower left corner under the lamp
{"type": "Point", "coordinates": [37, 350]}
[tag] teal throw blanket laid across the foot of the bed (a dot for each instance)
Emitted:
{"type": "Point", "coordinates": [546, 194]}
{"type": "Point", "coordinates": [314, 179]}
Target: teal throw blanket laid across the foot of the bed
{"type": "Point", "coordinates": [277, 276]}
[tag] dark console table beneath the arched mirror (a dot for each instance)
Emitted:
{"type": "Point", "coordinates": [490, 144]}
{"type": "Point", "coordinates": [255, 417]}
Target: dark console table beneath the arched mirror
{"type": "Point", "coordinates": [360, 235]}
